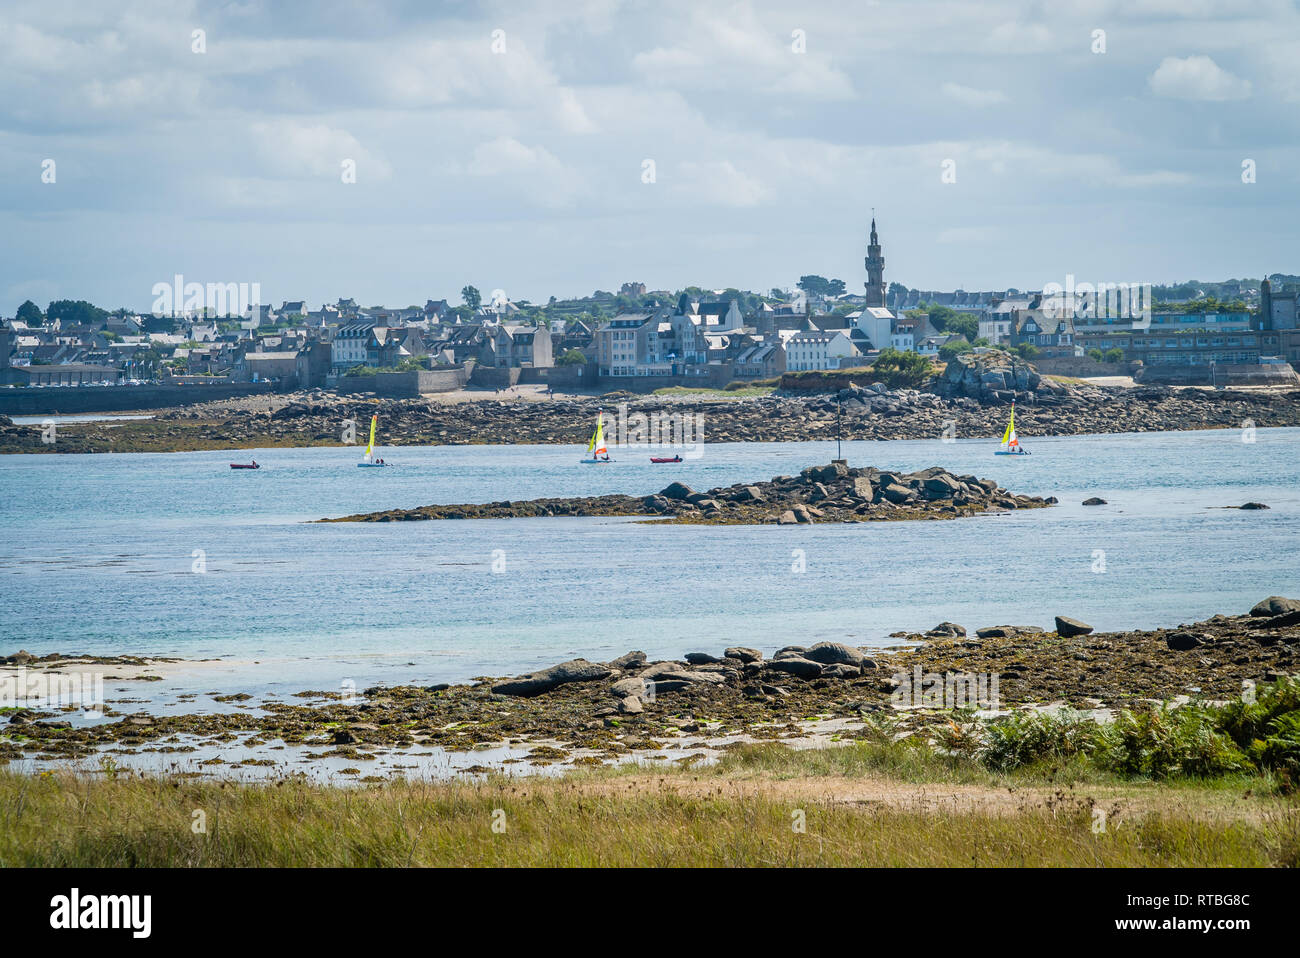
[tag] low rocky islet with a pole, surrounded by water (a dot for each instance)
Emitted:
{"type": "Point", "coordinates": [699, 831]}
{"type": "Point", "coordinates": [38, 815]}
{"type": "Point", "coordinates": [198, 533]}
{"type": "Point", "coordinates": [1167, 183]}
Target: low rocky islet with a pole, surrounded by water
{"type": "Point", "coordinates": [831, 493]}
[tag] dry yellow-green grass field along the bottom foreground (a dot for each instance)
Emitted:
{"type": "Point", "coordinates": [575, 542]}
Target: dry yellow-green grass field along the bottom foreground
{"type": "Point", "coordinates": [861, 805]}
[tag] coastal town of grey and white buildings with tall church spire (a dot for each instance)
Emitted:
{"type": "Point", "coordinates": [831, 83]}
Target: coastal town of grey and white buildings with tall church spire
{"type": "Point", "coordinates": [1233, 333]}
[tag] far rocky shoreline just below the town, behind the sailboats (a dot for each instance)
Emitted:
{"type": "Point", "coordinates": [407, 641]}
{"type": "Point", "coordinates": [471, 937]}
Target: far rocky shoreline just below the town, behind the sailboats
{"type": "Point", "coordinates": [857, 413]}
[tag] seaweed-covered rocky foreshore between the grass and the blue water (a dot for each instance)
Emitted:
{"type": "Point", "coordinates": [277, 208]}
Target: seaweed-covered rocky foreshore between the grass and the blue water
{"type": "Point", "coordinates": [592, 713]}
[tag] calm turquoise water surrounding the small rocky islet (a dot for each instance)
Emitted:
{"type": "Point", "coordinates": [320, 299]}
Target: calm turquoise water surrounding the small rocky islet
{"type": "Point", "coordinates": [97, 556]}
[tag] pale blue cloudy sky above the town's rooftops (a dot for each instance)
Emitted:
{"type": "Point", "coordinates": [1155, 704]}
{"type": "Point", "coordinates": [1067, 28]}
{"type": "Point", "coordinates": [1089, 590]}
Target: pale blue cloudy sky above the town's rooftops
{"type": "Point", "coordinates": [510, 145]}
